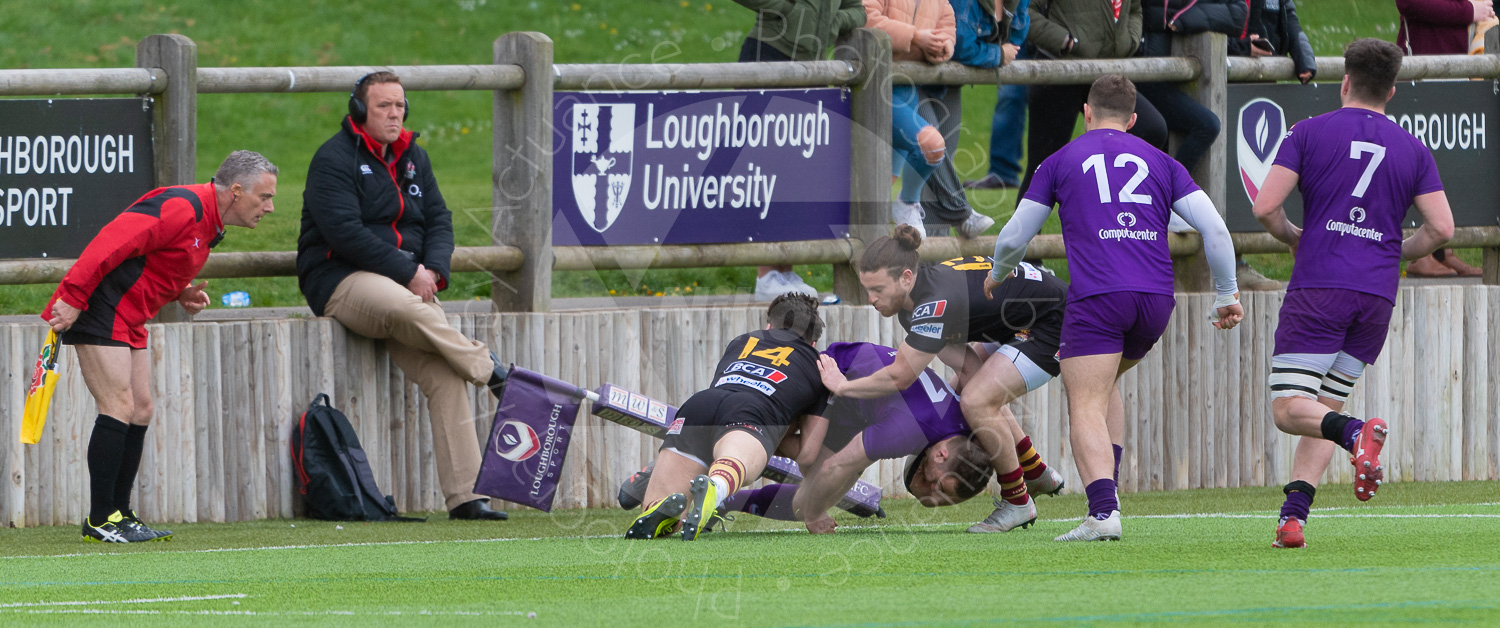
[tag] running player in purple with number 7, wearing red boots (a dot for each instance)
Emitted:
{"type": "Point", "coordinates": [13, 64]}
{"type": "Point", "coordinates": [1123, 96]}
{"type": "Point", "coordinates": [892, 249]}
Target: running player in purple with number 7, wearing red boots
{"type": "Point", "coordinates": [1358, 173]}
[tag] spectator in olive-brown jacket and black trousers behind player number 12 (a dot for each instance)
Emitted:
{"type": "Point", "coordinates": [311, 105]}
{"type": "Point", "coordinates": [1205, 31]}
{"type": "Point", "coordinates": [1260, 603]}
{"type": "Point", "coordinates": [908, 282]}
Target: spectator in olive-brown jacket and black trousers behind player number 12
{"type": "Point", "coordinates": [1081, 29]}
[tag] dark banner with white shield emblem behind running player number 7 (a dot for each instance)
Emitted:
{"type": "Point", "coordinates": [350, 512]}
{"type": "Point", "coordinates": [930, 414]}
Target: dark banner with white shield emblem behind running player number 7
{"type": "Point", "coordinates": [1451, 118]}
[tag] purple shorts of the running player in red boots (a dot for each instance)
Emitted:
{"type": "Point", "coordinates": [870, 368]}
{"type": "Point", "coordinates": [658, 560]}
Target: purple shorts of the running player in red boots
{"type": "Point", "coordinates": [1334, 320]}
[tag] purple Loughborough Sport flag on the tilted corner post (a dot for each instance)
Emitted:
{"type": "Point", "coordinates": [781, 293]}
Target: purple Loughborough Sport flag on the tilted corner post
{"type": "Point", "coordinates": [529, 441]}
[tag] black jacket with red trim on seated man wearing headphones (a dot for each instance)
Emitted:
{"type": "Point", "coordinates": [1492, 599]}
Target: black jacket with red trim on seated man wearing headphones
{"type": "Point", "coordinates": [364, 214]}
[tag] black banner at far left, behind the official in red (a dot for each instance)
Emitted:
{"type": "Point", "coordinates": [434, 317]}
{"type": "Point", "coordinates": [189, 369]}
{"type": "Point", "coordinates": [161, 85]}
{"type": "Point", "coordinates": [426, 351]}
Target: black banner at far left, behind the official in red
{"type": "Point", "coordinates": [67, 169]}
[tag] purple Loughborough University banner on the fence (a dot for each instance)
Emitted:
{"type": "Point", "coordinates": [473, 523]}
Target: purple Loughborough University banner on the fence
{"type": "Point", "coordinates": [700, 167]}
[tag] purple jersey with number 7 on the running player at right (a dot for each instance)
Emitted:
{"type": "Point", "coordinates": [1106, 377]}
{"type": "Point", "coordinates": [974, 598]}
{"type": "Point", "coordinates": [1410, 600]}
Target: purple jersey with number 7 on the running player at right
{"type": "Point", "coordinates": [1358, 173]}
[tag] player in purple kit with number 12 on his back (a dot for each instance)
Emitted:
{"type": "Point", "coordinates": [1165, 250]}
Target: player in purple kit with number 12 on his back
{"type": "Point", "coordinates": [1115, 197]}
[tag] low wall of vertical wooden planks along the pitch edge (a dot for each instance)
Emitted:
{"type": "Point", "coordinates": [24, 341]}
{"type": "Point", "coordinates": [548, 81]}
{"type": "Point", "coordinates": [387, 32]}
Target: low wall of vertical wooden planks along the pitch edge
{"type": "Point", "coordinates": [1198, 411]}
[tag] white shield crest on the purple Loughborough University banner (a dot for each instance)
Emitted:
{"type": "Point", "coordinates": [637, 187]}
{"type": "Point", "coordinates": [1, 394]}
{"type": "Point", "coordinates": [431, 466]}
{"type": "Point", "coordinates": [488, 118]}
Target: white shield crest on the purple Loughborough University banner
{"type": "Point", "coordinates": [604, 145]}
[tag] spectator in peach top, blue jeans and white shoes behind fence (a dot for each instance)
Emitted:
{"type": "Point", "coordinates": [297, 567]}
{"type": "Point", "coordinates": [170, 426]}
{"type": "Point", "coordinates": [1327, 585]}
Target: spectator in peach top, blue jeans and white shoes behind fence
{"type": "Point", "coordinates": [923, 31]}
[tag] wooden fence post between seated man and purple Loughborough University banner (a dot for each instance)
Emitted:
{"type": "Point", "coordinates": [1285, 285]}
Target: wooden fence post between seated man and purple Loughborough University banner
{"type": "Point", "coordinates": [523, 214]}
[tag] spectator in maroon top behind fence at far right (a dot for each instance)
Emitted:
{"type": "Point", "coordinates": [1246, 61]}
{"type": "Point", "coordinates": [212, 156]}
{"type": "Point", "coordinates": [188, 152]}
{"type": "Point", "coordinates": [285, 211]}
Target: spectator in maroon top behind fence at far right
{"type": "Point", "coordinates": [1441, 28]}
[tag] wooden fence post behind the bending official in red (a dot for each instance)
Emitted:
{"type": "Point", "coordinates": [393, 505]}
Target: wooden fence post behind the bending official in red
{"type": "Point", "coordinates": [175, 122]}
